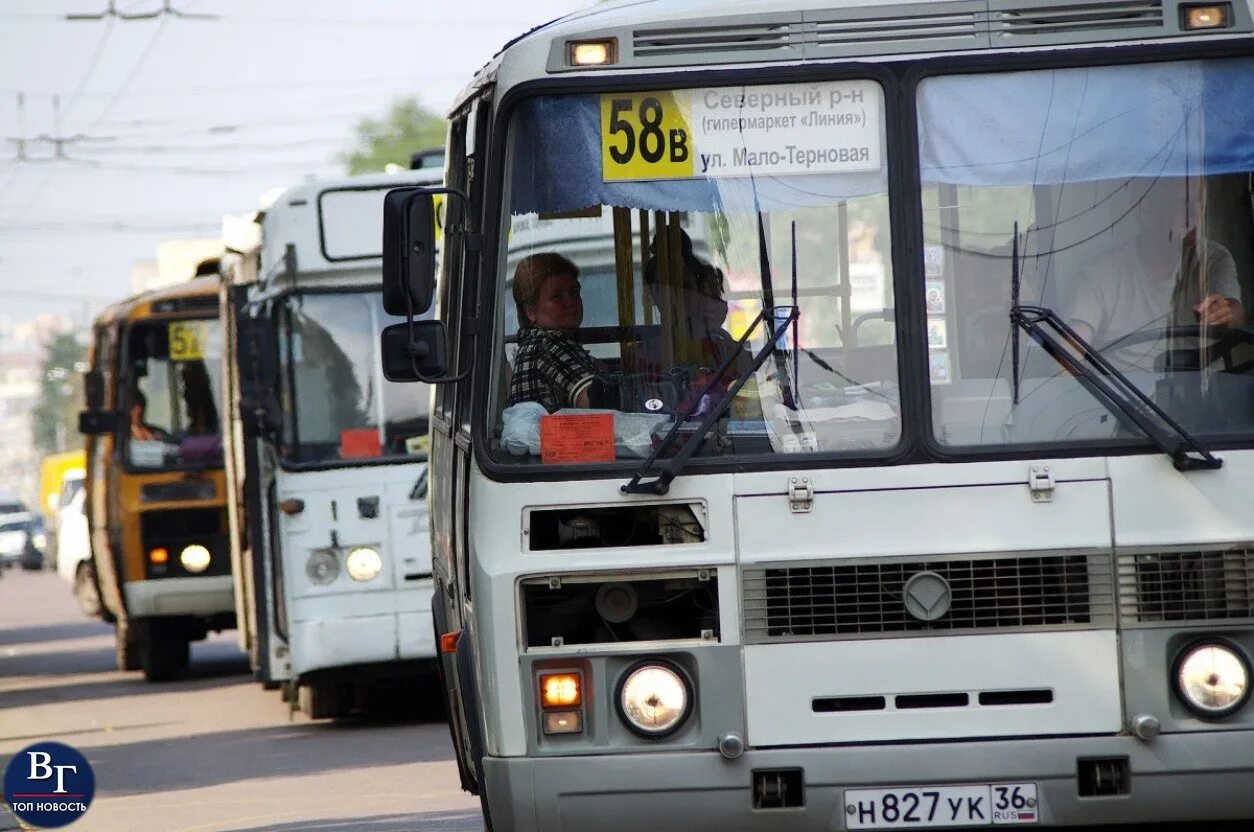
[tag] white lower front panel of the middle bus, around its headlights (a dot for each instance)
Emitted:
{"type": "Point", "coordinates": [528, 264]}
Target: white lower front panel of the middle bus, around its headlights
{"type": "Point", "coordinates": [348, 623]}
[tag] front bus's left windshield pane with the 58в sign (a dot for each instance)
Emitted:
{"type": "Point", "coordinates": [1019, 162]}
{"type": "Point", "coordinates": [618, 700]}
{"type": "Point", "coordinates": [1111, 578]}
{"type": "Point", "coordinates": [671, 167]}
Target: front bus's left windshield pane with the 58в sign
{"type": "Point", "coordinates": [649, 232]}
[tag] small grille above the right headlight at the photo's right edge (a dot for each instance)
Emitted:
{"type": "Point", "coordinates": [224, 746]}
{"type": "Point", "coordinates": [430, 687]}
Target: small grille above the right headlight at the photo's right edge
{"type": "Point", "coordinates": [1214, 585]}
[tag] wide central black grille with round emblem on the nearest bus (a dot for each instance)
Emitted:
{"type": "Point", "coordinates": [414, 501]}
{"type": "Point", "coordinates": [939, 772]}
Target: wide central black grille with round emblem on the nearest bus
{"type": "Point", "coordinates": [863, 598]}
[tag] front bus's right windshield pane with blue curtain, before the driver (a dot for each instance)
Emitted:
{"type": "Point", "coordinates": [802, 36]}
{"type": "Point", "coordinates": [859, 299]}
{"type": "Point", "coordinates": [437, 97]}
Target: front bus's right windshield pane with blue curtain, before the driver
{"type": "Point", "coordinates": [1130, 189]}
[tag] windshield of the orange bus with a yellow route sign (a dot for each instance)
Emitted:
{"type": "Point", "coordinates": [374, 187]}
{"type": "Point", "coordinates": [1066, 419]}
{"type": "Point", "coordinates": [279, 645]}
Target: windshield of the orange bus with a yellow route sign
{"type": "Point", "coordinates": [176, 398]}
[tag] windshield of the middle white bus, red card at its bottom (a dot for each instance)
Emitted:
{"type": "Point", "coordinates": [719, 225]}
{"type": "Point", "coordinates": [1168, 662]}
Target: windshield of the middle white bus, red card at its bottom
{"type": "Point", "coordinates": [337, 406]}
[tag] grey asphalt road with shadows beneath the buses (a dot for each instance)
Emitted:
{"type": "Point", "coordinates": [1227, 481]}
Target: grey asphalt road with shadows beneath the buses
{"type": "Point", "coordinates": [213, 752]}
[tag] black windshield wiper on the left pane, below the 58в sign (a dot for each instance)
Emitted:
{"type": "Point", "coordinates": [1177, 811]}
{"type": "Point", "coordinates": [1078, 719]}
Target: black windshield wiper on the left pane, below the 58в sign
{"type": "Point", "coordinates": [661, 483]}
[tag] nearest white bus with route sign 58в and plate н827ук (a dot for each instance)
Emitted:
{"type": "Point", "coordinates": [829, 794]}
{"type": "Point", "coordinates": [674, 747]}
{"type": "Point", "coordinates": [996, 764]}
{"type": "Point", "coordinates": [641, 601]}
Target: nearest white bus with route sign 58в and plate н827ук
{"type": "Point", "coordinates": [916, 500]}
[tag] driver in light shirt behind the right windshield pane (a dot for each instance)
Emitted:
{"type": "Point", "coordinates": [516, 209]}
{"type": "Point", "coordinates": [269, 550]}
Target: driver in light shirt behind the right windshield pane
{"type": "Point", "coordinates": [1168, 277]}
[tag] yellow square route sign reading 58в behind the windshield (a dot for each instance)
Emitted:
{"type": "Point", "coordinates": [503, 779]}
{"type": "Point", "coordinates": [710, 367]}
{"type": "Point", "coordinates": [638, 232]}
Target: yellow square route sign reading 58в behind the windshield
{"type": "Point", "coordinates": [645, 136]}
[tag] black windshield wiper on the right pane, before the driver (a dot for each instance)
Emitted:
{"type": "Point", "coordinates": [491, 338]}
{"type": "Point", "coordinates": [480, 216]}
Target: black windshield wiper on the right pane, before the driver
{"type": "Point", "coordinates": [1112, 387]}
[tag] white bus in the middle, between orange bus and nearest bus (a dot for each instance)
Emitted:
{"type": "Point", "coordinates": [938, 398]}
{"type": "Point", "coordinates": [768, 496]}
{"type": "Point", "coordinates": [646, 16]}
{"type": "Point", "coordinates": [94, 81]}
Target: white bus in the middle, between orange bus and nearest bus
{"type": "Point", "coordinates": [328, 461]}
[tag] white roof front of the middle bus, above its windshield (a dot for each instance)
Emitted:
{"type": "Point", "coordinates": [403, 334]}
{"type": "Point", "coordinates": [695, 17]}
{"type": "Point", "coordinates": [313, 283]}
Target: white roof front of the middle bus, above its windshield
{"type": "Point", "coordinates": [333, 227]}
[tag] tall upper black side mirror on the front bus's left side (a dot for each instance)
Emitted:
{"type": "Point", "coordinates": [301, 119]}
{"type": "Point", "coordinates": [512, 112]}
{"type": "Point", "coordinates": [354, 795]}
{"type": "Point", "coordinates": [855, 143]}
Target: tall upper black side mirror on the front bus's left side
{"type": "Point", "coordinates": [409, 252]}
